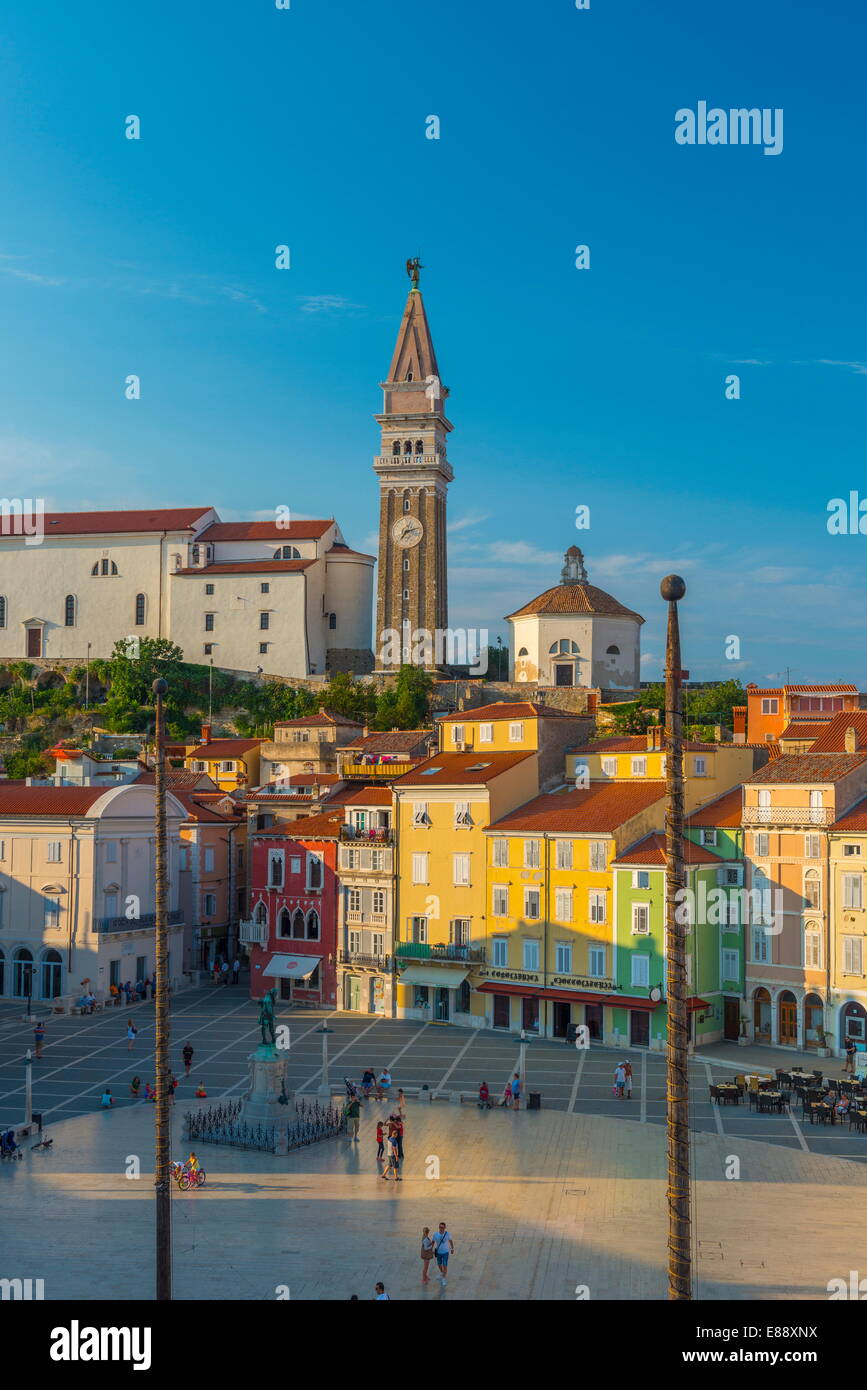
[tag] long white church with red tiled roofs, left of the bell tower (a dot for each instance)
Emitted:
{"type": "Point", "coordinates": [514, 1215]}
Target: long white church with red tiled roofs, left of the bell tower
{"type": "Point", "coordinates": [290, 598]}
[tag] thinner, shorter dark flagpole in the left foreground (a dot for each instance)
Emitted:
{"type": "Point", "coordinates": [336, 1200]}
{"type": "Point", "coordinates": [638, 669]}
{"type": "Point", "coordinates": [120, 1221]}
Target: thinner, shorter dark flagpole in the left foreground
{"type": "Point", "coordinates": [163, 1114]}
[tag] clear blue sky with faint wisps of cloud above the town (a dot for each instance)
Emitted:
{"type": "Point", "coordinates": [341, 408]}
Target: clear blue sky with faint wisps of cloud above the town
{"type": "Point", "coordinates": [604, 387]}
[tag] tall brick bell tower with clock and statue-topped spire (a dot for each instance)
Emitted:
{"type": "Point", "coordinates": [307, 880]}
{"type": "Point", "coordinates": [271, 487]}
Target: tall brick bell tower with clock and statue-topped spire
{"type": "Point", "coordinates": [415, 475]}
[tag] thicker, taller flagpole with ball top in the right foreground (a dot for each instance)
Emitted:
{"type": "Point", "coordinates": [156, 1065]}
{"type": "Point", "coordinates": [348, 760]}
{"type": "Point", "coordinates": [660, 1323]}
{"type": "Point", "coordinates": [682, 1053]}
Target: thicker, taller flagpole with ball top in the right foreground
{"type": "Point", "coordinates": [677, 1089]}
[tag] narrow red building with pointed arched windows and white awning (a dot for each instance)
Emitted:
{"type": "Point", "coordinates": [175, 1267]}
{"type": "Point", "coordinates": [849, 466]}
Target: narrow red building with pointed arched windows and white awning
{"type": "Point", "coordinates": [294, 896]}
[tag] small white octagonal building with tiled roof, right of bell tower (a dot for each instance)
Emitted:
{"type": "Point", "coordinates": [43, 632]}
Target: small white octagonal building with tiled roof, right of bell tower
{"type": "Point", "coordinates": [576, 635]}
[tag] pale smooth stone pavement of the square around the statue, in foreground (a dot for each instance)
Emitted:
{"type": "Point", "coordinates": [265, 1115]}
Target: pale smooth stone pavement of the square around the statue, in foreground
{"type": "Point", "coordinates": [538, 1204]}
